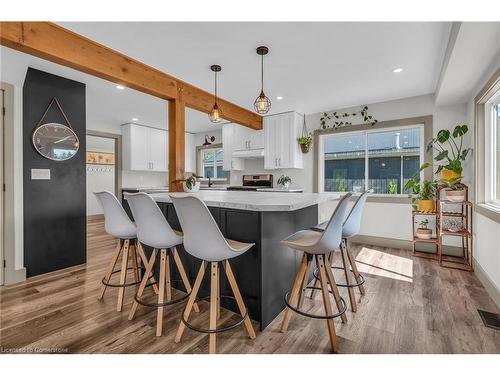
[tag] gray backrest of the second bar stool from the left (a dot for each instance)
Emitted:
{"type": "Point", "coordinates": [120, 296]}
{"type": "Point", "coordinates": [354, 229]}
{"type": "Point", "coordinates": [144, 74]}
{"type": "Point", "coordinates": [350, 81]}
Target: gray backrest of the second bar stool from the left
{"type": "Point", "coordinates": [152, 227]}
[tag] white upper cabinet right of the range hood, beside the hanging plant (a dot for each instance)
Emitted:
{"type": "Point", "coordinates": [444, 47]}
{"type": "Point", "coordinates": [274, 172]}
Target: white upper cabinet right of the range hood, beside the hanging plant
{"type": "Point", "coordinates": [281, 149]}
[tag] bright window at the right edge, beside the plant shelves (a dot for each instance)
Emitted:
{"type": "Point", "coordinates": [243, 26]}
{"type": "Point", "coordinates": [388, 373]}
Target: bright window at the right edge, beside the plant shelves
{"type": "Point", "coordinates": [492, 150]}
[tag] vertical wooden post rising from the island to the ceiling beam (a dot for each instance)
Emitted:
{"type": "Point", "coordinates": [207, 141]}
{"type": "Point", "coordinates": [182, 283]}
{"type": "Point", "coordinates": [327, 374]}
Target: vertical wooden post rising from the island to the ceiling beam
{"type": "Point", "coordinates": [176, 141]}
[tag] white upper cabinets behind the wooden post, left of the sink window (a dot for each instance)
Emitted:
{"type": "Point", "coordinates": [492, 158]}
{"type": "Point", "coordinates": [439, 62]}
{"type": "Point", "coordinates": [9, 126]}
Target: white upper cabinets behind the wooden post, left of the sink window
{"type": "Point", "coordinates": [146, 149]}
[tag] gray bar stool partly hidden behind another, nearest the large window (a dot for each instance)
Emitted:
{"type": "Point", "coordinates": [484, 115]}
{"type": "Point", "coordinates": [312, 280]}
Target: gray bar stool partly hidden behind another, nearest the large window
{"type": "Point", "coordinates": [352, 225]}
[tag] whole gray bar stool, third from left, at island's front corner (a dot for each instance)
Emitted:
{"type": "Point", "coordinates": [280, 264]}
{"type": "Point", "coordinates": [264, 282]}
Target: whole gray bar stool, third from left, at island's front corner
{"type": "Point", "coordinates": [204, 240]}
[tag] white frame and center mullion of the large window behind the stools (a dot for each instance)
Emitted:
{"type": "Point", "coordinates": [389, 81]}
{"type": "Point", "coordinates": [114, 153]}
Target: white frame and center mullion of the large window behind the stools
{"type": "Point", "coordinates": [366, 132]}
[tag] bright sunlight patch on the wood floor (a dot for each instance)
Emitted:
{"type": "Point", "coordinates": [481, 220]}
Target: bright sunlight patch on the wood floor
{"type": "Point", "coordinates": [378, 263]}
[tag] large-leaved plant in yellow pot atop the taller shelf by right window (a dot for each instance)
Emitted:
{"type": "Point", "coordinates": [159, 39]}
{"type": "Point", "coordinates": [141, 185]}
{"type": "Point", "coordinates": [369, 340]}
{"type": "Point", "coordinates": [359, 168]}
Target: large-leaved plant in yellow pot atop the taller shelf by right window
{"type": "Point", "coordinates": [451, 152]}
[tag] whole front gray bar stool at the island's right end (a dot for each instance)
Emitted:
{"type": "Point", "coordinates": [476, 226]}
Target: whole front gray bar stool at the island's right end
{"type": "Point", "coordinates": [317, 245]}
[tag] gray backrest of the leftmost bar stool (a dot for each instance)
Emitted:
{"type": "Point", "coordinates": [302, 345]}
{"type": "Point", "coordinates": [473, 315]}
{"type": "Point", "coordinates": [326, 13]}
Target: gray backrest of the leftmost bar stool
{"type": "Point", "coordinates": [116, 221]}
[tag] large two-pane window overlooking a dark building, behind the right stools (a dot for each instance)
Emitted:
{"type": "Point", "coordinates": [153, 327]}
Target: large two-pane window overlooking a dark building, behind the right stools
{"type": "Point", "coordinates": [382, 160]}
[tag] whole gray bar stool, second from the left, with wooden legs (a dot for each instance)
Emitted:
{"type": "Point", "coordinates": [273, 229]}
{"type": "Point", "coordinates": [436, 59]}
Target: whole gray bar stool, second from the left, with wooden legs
{"type": "Point", "coordinates": [153, 230]}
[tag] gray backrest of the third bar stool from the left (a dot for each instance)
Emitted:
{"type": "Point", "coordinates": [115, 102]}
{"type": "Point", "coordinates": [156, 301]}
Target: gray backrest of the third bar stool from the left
{"type": "Point", "coordinates": [202, 236]}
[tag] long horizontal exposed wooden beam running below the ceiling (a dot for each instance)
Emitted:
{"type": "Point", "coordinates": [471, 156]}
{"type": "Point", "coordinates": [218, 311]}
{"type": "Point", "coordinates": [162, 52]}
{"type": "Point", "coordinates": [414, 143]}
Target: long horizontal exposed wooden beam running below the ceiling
{"type": "Point", "coordinates": [57, 44]}
